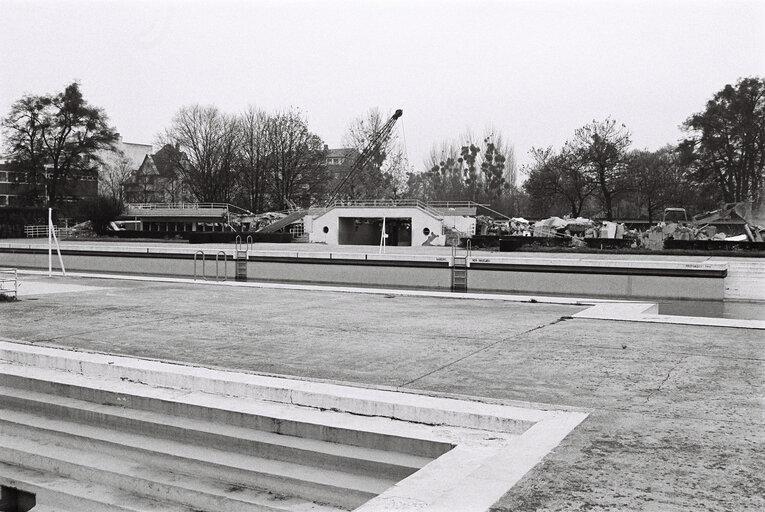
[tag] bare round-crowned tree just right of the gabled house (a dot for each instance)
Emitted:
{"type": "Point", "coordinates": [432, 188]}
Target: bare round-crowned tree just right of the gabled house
{"type": "Point", "coordinates": [207, 140]}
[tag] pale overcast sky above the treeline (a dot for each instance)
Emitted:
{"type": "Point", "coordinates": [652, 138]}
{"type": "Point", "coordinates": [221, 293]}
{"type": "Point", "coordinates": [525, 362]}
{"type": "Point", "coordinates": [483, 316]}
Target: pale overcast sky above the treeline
{"type": "Point", "coordinates": [533, 70]}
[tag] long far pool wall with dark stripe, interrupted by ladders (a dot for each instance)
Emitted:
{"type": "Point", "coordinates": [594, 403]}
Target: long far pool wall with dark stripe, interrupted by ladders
{"type": "Point", "coordinates": [601, 278]}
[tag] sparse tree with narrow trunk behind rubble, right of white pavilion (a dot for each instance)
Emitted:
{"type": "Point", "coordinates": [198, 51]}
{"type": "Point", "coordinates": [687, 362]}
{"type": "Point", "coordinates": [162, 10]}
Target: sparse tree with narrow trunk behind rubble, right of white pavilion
{"type": "Point", "coordinates": [601, 148]}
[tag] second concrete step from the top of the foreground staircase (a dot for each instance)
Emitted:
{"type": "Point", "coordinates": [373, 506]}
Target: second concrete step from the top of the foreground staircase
{"type": "Point", "coordinates": [102, 421]}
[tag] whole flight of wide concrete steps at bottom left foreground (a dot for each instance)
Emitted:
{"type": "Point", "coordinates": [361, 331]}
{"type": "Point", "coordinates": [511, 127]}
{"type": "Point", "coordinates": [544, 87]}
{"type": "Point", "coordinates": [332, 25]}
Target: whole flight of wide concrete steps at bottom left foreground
{"type": "Point", "coordinates": [82, 446]}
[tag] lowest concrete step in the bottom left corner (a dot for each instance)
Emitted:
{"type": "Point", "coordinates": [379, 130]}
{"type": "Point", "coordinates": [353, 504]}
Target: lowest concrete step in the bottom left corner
{"type": "Point", "coordinates": [61, 494]}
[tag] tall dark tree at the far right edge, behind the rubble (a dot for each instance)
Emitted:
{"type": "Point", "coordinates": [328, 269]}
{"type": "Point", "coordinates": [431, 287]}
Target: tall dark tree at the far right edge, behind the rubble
{"type": "Point", "coordinates": [727, 141]}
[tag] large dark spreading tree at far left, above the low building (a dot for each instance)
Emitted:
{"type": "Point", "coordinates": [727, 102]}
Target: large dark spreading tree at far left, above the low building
{"type": "Point", "coordinates": [55, 139]}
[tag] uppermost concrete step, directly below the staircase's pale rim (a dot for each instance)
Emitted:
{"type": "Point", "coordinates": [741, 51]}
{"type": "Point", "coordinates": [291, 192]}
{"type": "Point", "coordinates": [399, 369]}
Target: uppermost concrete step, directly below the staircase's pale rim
{"type": "Point", "coordinates": [273, 418]}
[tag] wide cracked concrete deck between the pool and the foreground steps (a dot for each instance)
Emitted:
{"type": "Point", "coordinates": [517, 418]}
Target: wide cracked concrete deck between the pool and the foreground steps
{"type": "Point", "coordinates": [697, 444]}
